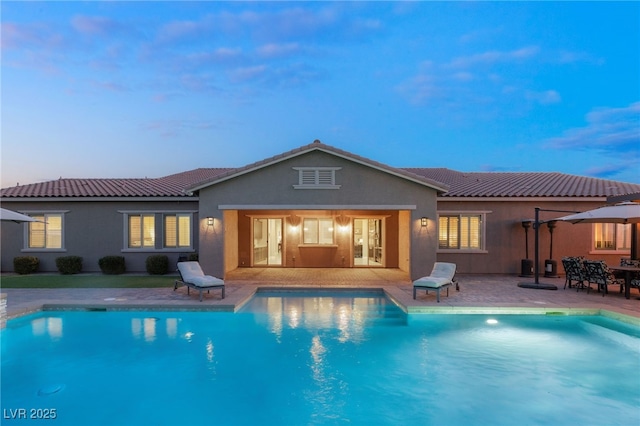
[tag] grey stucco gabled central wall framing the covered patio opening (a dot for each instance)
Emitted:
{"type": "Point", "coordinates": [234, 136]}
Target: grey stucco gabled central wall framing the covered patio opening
{"type": "Point", "coordinates": [363, 188]}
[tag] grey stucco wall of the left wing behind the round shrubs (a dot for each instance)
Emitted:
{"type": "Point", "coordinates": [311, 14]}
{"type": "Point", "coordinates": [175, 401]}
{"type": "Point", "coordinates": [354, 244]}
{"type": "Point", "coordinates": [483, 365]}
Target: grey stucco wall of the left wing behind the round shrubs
{"type": "Point", "coordinates": [92, 229]}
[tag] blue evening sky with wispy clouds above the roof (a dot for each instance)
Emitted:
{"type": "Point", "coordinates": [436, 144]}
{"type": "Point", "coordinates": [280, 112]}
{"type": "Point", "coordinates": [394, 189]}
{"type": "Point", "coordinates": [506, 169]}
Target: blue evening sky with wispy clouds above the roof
{"type": "Point", "coordinates": [135, 89]}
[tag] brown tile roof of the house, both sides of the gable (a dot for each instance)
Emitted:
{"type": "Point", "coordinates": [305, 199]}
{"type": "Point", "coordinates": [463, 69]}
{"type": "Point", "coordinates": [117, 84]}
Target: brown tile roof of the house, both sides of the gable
{"type": "Point", "coordinates": [461, 184]}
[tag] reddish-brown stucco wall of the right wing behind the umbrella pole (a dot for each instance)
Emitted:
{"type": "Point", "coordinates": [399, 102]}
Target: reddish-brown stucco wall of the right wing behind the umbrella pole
{"type": "Point", "coordinates": [505, 236]}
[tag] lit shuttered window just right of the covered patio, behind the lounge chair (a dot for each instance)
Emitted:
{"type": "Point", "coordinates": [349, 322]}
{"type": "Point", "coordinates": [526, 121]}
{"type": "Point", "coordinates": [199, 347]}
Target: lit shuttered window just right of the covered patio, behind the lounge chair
{"type": "Point", "coordinates": [460, 232]}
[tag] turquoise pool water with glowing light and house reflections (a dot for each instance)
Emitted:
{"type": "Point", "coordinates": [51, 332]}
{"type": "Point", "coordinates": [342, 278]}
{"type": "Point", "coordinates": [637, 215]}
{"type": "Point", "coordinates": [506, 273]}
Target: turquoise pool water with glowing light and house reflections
{"type": "Point", "coordinates": [327, 358]}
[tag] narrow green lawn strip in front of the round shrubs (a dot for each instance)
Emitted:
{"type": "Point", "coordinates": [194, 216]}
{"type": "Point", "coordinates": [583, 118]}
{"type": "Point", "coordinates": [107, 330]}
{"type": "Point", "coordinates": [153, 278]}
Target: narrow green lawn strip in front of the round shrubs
{"type": "Point", "coordinates": [86, 281]}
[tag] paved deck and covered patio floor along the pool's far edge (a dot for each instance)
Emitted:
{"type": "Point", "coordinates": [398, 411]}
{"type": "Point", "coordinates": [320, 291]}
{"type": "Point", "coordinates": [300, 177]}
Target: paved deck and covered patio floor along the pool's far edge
{"type": "Point", "coordinates": [478, 294]}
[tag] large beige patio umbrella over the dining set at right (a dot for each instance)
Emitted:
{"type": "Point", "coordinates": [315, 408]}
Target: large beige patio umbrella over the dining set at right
{"type": "Point", "coordinates": [624, 213]}
